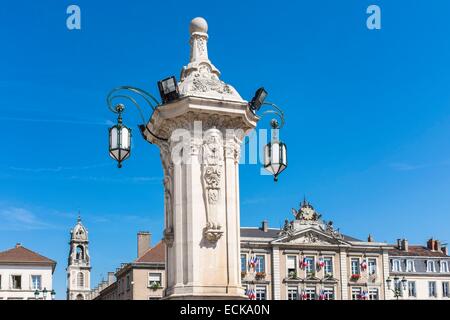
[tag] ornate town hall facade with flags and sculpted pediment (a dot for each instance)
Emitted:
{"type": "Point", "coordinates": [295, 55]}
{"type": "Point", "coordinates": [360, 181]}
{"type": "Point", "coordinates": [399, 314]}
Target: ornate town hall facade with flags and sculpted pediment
{"type": "Point", "coordinates": [310, 259]}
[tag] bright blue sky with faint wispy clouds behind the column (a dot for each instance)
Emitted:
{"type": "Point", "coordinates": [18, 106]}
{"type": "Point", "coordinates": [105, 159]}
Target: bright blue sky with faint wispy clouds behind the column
{"type": "Point", "coordinates": [368, 116]}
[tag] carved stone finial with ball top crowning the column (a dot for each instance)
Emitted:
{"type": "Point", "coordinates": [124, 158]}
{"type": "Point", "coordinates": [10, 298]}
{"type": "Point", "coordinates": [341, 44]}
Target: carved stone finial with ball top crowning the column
{"type": "Point", "coordinates": [200, 77]}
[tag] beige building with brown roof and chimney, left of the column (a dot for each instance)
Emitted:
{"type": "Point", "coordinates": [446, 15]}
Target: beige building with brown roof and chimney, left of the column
{"type": "Point", "coordinates": [142, 279]}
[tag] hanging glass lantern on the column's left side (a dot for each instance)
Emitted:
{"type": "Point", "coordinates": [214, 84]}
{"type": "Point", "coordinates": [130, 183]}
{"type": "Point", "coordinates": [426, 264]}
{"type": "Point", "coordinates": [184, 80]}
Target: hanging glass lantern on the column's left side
{"type": "Point", "coordinates": [119, 139]}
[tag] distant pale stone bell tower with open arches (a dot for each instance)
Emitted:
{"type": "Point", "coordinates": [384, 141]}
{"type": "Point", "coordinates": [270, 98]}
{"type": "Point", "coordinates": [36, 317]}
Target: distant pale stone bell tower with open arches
{"type": "Point", "coordinates": [79, 264]}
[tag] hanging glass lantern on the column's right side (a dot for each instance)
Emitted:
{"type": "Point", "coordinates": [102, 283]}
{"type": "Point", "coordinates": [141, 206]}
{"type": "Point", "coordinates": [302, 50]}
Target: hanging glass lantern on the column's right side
{"type": "Point", "coordinates": [275, 153]}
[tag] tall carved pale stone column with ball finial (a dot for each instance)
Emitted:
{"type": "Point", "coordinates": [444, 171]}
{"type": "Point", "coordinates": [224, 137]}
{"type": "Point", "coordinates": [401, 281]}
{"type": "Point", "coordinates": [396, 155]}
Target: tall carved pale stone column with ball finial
{"type": "Point", "coordinates": [204, 128]}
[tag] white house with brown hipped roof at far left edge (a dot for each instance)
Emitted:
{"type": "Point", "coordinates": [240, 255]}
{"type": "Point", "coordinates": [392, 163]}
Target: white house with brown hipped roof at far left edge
{"type": "Point", "coordinates": [25, 275]}
